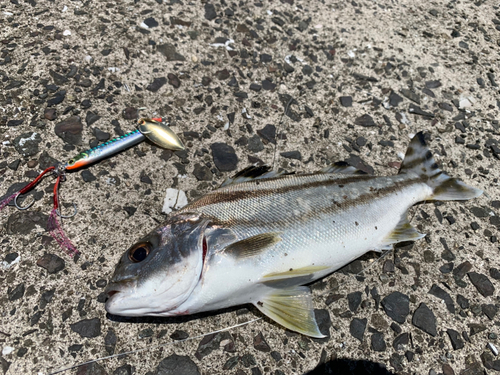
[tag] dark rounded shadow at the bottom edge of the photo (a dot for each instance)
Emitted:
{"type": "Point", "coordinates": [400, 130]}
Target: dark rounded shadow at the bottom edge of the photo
{"type": "Point", "coordinates": [342, 366]}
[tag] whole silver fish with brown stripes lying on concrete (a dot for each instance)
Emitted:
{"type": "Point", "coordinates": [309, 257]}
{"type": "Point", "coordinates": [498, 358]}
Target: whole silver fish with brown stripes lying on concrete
{"type": "Point", "coordinates": [263, 236]}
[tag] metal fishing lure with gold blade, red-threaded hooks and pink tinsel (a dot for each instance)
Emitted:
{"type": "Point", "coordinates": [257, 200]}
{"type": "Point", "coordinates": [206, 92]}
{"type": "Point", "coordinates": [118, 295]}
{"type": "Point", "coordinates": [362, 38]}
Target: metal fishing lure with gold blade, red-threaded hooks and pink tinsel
{"type": "Point", "coordinates": [152, 129]}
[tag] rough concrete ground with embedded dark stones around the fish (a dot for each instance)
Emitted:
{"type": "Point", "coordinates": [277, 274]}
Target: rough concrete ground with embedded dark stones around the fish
{"type": "Point", "coordinates": [291, 83]}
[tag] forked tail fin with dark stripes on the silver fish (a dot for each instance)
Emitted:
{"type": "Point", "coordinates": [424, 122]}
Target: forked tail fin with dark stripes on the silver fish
{"type": "Point", "coordinates": [418, 160]}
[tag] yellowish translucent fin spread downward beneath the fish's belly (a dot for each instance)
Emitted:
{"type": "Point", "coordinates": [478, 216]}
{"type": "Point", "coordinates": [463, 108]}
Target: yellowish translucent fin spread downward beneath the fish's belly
{"type": "Point", "coordinates": [293, 309]}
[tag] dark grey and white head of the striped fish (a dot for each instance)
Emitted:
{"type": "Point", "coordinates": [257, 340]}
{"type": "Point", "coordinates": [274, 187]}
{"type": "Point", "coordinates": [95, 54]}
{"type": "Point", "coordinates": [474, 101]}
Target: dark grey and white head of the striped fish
{"type": "Point", "coordinates": [158, 273]}
